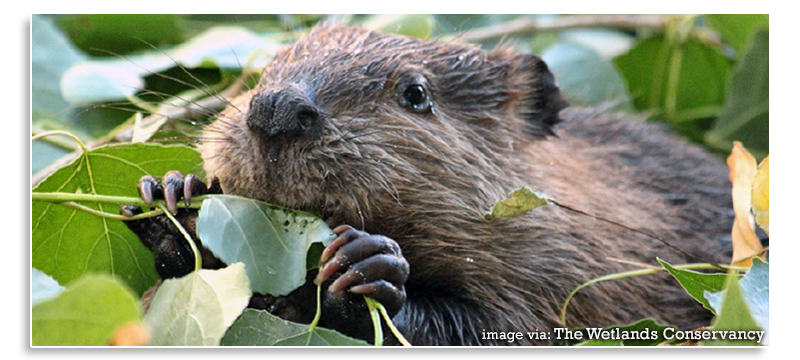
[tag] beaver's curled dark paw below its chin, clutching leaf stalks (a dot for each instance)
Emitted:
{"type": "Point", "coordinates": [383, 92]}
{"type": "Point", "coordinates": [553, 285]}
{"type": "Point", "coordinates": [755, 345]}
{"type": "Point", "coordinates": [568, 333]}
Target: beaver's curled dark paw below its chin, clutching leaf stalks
{"type": "Point", "coordinates": [373, 266]}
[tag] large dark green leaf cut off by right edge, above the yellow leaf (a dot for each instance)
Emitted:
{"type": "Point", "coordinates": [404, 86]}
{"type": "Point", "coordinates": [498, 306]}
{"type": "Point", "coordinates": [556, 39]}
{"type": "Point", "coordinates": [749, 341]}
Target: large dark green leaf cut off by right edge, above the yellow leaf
{"type": "Point", "coordinates": [745, 116]}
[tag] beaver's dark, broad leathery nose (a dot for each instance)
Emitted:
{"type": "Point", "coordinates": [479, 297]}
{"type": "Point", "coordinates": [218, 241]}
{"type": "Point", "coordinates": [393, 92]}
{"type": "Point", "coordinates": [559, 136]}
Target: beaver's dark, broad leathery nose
{"type": "Point", "coordinates": [287, 111]}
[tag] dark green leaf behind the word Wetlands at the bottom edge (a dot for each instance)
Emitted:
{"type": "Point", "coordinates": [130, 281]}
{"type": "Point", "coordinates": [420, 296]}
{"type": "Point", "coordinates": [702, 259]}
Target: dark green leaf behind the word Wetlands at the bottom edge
{"type": "Point", "coordinates": [645, 332]}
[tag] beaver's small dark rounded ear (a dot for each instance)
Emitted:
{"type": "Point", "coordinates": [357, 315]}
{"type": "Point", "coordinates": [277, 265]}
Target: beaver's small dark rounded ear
{"type": "Point", "coordinates": [541, 99]}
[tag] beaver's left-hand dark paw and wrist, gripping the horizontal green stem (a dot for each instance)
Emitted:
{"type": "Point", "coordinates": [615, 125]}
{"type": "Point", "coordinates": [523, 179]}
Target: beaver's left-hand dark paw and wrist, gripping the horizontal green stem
{"type": "Point", "coordinates": [173, 254]}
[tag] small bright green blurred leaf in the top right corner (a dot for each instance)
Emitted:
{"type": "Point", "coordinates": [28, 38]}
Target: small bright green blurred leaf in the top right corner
{"type": "Point", "coordinates": [738, 29]}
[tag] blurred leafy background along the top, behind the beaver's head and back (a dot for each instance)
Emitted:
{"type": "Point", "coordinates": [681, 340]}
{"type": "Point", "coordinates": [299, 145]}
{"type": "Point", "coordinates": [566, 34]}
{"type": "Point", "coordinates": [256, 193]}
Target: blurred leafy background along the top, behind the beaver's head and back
{"type": "Point", "coordinates": [706, 76]}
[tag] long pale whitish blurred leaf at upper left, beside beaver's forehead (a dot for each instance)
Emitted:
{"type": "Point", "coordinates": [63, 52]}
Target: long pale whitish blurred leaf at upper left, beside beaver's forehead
{"type": "Point", "coordinates": [114, 79]}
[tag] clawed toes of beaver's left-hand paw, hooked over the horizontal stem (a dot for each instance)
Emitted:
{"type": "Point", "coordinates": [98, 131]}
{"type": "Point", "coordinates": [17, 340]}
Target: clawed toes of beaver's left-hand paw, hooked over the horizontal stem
{"type": "Point", "coordinates": [172, 187]}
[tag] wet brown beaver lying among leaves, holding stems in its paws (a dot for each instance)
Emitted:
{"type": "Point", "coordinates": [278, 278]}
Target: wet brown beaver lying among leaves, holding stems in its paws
{"type": "Point", "coordinates": [403, 144]}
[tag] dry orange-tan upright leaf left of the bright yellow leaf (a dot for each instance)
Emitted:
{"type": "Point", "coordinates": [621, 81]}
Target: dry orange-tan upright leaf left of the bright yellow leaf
{"type": "Point", "coordinates": [743, 169]}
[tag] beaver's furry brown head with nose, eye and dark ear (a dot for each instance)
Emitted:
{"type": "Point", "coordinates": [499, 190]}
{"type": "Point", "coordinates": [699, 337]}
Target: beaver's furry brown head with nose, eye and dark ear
{"type": "Point", "coordinates": [352, 123]}
